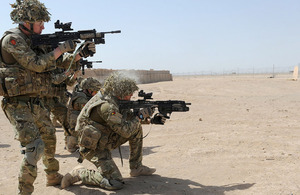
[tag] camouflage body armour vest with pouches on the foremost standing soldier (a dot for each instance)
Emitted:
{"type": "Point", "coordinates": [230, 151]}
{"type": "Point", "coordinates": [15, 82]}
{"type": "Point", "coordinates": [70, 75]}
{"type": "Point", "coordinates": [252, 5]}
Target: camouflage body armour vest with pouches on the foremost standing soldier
{"type": "Point", "coordinates": [15, 80]}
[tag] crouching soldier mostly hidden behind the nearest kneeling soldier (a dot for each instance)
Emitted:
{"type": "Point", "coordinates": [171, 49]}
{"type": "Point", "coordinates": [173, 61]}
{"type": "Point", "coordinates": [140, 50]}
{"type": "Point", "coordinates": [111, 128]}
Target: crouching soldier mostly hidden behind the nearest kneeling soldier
{"type": "Point", "coordinates": [81, 95]}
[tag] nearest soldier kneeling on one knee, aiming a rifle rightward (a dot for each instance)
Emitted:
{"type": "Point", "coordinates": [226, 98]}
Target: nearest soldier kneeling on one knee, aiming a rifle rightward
{"type": "Point", "coordinates": [102, 127]}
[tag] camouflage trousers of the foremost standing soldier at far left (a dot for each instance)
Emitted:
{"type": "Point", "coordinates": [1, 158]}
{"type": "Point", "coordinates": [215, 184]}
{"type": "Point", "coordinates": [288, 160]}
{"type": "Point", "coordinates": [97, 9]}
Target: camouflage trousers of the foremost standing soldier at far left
{"type": "Point", "coordinates": [30, 121]}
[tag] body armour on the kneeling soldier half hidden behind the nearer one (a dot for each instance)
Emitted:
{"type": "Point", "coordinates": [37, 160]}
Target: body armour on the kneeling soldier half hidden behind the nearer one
{"type": "Point", "coordinates": [72, 113]}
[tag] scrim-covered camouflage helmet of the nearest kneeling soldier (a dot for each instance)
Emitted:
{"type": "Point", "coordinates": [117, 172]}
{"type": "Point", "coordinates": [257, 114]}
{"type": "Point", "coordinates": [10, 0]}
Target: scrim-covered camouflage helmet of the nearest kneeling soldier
{"type": "Point", "coordinates": [119, 85]}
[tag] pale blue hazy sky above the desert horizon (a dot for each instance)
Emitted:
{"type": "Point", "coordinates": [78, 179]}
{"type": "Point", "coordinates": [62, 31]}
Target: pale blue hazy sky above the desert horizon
{"type": "Point", "coordinates": [185, 35]}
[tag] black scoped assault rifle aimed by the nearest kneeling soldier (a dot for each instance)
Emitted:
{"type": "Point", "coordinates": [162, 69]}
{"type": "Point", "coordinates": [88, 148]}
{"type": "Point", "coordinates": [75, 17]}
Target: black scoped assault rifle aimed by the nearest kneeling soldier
{"type": "Point", "coordinates": [165, 107]}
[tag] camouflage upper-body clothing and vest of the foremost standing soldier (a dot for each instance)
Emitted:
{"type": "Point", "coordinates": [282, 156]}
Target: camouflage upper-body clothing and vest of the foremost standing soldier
{"type": "Point", "coordinates": [26, 68]}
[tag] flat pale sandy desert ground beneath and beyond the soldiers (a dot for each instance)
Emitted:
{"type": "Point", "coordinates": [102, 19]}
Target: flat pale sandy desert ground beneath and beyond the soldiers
{"type": "Point", "coordinates": [241, 136]}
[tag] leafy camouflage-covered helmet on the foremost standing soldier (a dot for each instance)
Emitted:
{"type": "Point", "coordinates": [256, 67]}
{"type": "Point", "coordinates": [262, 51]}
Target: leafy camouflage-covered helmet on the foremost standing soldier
{"type": "Point", "coordinates": [29, 11]}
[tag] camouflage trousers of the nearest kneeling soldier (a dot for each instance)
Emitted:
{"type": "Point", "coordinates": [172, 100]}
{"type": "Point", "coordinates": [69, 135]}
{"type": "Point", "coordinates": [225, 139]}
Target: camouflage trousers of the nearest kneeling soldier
{"type": "Point", "coordinates": [102, 159]}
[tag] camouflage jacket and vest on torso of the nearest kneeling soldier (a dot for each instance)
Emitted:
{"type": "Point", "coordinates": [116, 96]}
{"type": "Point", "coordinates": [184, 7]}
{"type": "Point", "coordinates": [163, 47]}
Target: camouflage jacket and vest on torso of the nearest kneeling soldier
{"type": "Point", "coordinates": [100, 123]}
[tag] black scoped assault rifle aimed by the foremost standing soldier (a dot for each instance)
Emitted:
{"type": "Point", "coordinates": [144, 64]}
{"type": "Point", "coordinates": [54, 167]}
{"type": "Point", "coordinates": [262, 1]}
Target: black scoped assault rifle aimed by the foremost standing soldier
{"type": "Point", "coordinates": [54, 39]}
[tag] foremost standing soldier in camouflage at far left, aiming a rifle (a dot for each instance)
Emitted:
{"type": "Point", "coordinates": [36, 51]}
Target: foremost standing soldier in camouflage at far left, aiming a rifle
{"type": "Point", "coordinates": [25, 77]}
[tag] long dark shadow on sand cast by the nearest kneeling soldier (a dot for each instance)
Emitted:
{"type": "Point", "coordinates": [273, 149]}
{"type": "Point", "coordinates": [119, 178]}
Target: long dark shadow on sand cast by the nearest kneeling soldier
{"type": "Point", "coordinates": [161, 185]}
